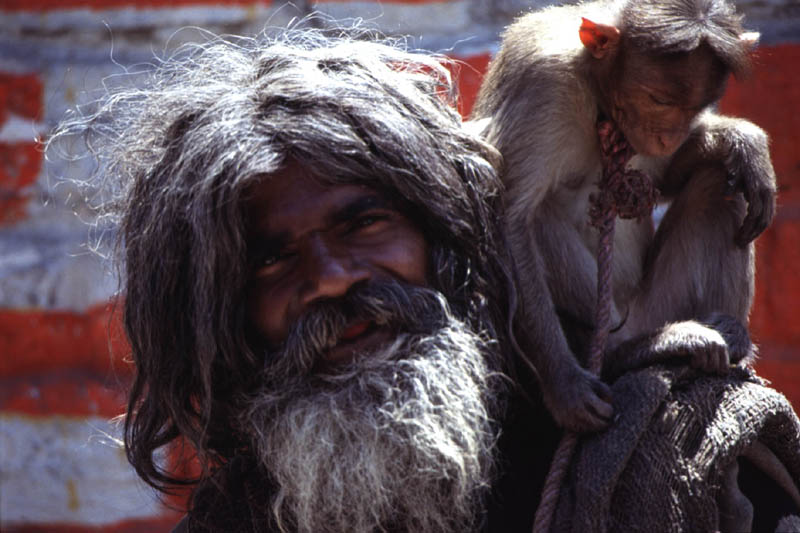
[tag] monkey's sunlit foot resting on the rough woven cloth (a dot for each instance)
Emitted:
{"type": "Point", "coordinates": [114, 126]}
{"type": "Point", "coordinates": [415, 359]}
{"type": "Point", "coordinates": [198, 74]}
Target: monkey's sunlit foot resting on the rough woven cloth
{"type": "Point", "coordinates": [709, 345]}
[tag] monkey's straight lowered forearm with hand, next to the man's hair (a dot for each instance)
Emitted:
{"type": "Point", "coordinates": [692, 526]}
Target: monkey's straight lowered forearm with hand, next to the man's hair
{"type": "Point", "coordinates": [578, 400]}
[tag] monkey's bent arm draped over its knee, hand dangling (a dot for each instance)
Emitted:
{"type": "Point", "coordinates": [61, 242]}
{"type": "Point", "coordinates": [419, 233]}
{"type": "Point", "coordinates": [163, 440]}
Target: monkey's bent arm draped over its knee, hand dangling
{"type": "Point", "coordinates": [742, 148]}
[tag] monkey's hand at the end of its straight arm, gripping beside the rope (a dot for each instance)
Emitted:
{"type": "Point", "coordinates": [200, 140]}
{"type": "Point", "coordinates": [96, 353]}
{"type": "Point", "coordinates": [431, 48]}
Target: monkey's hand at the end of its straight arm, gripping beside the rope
{"type": "Point", "coordinates": [578, 400]}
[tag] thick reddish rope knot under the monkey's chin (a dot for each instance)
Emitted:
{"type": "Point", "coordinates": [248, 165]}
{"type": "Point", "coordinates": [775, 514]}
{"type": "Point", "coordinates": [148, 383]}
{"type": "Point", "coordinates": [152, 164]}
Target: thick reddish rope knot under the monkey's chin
{"type": "Point", "coordinates": [623, 193]}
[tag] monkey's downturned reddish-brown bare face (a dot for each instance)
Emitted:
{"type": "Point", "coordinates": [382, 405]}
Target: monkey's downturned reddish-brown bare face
{"type": "Point", "coordinates": [656, 99]}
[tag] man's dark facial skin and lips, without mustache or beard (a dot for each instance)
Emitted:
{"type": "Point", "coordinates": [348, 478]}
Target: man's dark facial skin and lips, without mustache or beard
{"type": "Point", "coordinates": [310, 242]}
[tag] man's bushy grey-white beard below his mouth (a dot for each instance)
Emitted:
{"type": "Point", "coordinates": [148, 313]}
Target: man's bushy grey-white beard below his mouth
{"type": "Point", "coordinates": [398, 440]}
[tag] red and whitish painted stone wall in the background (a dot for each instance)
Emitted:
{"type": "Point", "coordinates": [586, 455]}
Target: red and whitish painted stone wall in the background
{"type": "Point", "coordinates": [62, 367]}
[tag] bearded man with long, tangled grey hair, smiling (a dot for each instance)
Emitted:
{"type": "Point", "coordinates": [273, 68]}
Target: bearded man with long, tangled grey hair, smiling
{"type": "Point", "coordinates": [315, 290]}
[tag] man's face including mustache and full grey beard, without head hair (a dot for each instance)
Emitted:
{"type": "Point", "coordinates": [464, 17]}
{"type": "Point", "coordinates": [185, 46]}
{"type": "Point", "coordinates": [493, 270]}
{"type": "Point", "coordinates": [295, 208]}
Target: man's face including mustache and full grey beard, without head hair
{"type": "Point", "coordinates": [399, 439]}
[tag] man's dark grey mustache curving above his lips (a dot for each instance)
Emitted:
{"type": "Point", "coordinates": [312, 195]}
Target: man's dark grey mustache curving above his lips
{"type": "Point", "coordinates": [398, 306]}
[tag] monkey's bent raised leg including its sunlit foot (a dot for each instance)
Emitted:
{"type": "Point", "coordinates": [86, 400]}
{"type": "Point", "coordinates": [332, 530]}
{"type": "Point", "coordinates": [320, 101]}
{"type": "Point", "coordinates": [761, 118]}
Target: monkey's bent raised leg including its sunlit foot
{"type": "Point", "coordinates": [698, 284]}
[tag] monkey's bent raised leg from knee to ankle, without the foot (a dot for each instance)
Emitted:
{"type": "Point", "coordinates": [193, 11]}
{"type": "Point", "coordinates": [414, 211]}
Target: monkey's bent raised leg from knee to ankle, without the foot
{"type": "Point", "coordinates": [694, 267]}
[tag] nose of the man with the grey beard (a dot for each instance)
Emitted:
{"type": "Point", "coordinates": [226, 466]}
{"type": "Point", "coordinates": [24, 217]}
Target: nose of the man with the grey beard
{"type": "Point", "coordinates": [329, 271]}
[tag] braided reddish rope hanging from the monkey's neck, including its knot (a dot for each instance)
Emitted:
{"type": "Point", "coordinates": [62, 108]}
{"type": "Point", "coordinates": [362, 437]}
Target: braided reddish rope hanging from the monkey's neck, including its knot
{"type": "Point", "coordinates": [623, 193]}
